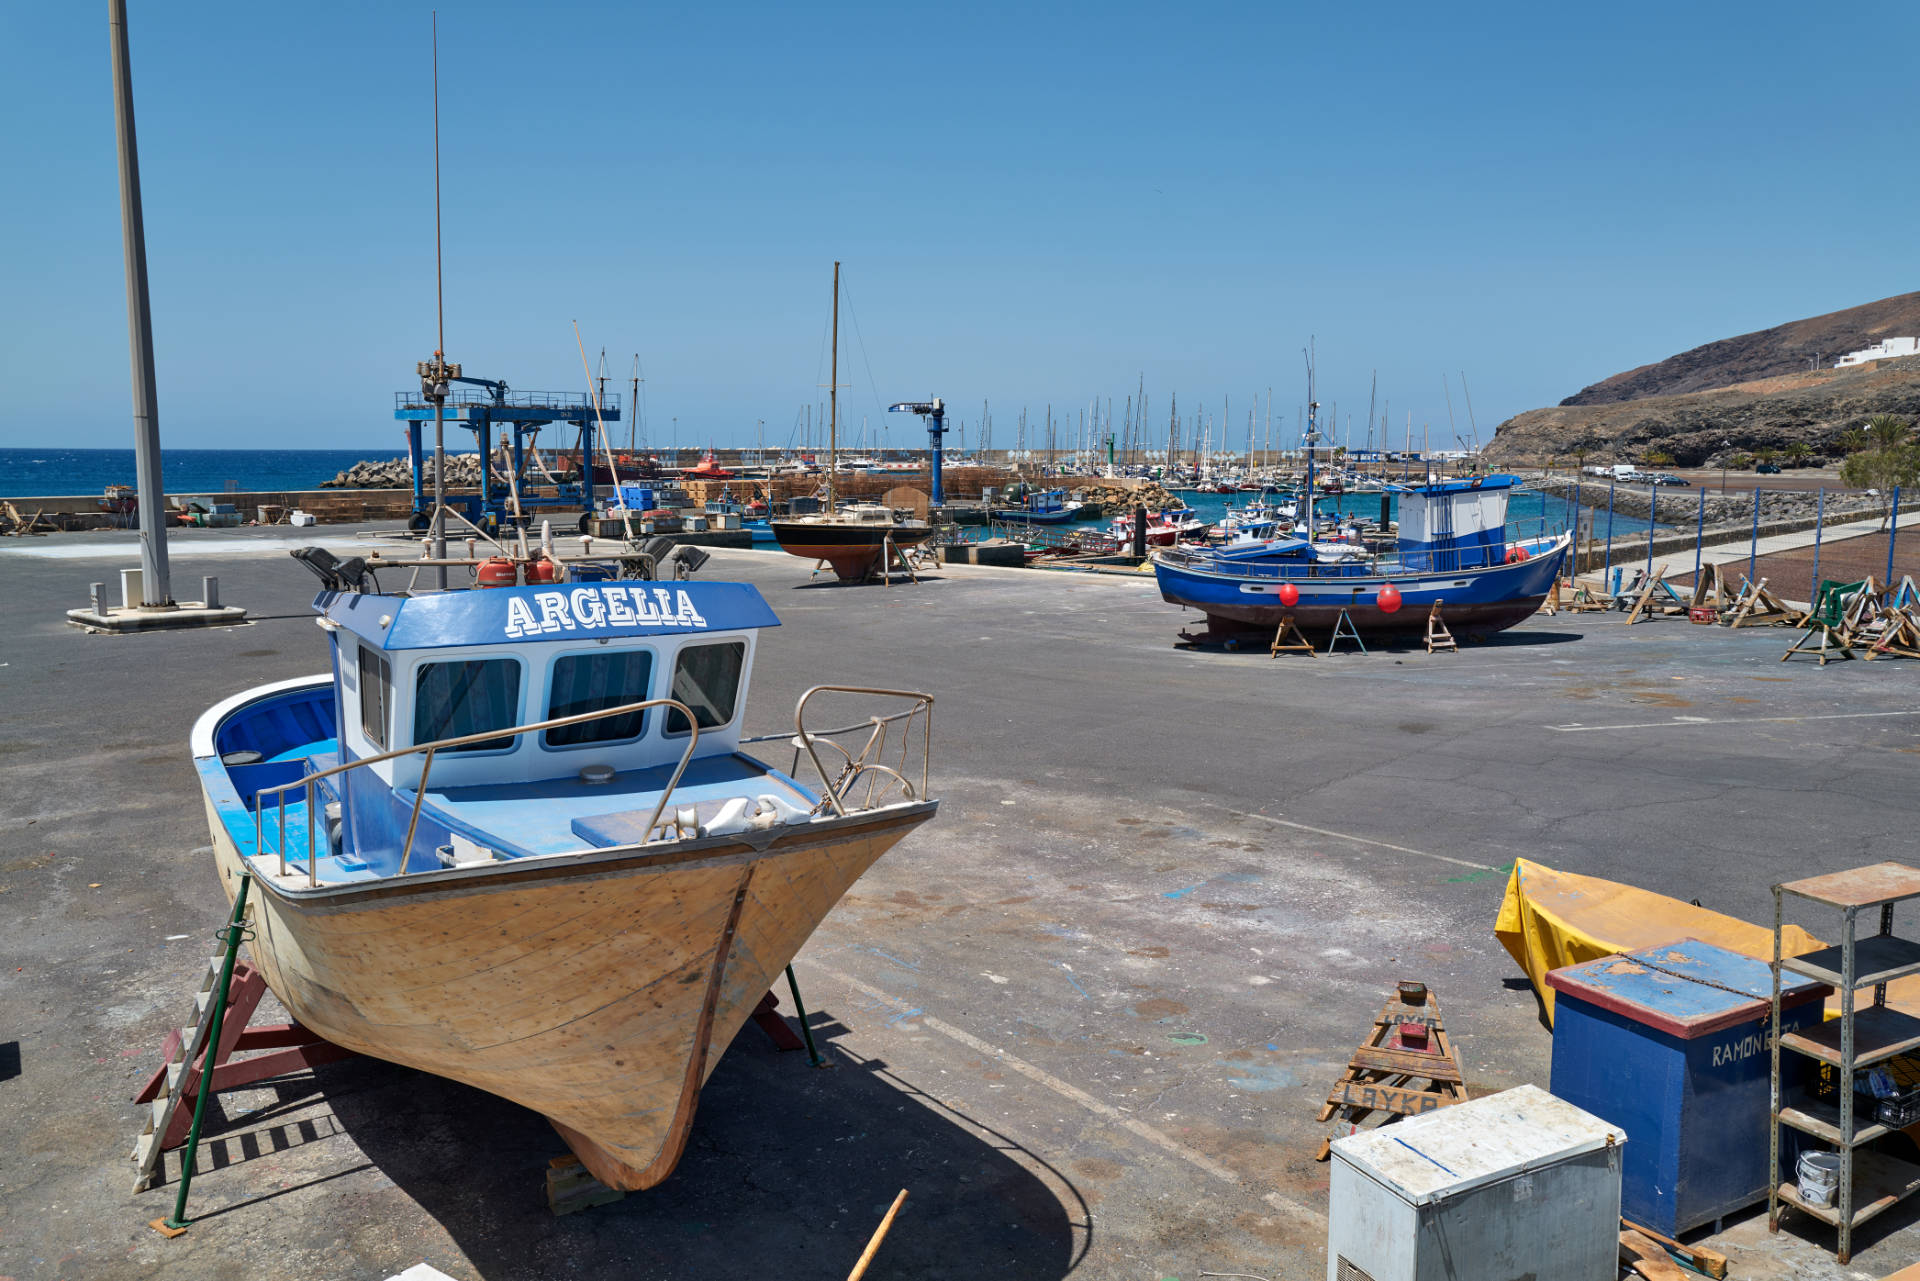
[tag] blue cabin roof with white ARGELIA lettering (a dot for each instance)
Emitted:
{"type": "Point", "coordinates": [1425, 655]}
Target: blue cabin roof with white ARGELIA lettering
{"type": "Point", "coordinates": [564, 612]}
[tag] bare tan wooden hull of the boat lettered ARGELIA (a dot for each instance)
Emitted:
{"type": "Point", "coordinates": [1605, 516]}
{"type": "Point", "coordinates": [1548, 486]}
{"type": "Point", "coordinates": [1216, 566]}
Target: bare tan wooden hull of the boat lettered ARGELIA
{"type": "Point", "coordinates": [598, 990]}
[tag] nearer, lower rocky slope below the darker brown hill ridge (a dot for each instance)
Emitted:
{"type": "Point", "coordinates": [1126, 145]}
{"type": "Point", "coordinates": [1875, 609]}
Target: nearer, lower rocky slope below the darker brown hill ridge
{"type": "Point", "coordinates": [1698, 427]}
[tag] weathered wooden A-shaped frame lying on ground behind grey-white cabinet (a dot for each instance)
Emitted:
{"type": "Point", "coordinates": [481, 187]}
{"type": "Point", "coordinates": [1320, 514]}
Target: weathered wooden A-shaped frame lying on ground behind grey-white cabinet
{"type": "Point", "coordinates": [1403, 1069]}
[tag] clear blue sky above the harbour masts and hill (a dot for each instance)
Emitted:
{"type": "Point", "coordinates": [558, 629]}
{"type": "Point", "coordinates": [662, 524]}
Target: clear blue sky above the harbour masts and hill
{"type": "Point", "coordinates": [1034, 205]}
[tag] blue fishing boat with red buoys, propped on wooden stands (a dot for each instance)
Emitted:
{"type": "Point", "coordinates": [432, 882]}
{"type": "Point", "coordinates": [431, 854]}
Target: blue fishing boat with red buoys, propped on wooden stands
{"type": "Point", "coordinates": [1454, 552]}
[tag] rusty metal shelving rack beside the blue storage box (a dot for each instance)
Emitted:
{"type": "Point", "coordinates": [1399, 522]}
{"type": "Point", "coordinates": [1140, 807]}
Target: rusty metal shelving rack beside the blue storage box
{"type": "Point", "coordinates": [1869, 1182]}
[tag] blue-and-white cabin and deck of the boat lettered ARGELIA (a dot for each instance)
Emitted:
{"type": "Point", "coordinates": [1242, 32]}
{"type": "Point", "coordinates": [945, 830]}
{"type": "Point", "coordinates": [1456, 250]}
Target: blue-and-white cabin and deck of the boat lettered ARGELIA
{"type": "Point", "coordinates": [421, 669]}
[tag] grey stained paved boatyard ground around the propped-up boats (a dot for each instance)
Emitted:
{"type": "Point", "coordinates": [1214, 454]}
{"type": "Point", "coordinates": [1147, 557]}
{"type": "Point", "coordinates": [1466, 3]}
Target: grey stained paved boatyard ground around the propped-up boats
{"type": "Point", "coordinates": [1088, 1015]}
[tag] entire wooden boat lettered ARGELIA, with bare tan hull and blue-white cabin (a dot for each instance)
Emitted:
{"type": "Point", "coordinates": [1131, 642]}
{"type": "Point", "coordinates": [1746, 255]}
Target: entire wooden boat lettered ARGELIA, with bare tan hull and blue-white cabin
{"type": "Point", "coordinates": [514, 838]}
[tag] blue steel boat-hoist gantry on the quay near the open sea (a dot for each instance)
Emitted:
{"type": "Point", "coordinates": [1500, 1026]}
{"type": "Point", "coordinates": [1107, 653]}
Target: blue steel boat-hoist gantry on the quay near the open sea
{"type": "Point", "coordinates": [525, 412]}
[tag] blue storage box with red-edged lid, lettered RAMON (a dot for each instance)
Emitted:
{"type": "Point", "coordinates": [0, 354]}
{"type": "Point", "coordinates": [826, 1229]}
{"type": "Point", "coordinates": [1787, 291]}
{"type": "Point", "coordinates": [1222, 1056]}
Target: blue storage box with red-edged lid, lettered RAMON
{"type": "Point", "coordinates": [1671, 1046]}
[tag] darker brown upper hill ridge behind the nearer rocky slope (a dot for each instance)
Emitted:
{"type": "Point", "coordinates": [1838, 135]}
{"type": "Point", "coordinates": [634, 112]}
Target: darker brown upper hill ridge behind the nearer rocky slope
{"type": "Point", "coordinates": [1781, 350]}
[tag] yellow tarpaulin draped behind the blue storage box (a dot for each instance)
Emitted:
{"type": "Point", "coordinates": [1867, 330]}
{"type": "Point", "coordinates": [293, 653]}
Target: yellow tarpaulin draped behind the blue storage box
{"type": "Point", "coordinates": [1560, 919]}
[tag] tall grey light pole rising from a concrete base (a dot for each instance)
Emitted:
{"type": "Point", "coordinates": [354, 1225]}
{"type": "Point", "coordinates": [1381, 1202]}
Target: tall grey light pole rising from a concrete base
{"type": "Point", "coordinates": [156, 587]}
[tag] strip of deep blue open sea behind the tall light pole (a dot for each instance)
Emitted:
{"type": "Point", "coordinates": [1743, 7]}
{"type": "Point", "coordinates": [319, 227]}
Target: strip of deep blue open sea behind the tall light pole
{"type": "Point", "coordinates": [26, 473]}
